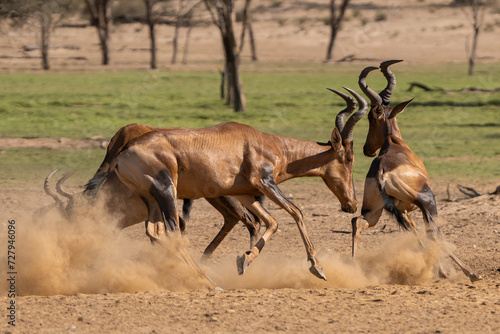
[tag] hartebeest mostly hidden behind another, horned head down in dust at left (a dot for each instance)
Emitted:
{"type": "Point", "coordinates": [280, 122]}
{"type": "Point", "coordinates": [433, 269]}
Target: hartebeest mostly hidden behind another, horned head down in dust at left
{"type": "Point", "coordinates": [132, 210]}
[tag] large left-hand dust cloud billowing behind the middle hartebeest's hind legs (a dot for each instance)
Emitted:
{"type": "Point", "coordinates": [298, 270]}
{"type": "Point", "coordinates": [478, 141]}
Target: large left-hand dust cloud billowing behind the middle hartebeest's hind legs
{"type": "Point", "coordinates": [91, 255]}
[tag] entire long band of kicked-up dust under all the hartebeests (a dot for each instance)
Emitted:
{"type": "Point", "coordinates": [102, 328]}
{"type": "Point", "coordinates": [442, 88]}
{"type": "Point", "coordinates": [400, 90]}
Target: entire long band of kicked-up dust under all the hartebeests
{"type": "Point", "coordinates": [91, 255]}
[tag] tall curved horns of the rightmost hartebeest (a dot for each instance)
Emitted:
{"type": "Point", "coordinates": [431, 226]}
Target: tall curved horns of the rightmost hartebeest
{"type": "Point", "coordinates": [384, 96]}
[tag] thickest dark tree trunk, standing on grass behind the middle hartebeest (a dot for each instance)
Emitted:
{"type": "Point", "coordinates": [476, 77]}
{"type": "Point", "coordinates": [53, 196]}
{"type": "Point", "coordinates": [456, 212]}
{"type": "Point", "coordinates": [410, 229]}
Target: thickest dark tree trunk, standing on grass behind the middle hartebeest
{"type": "Point", "coordinates": [221, 12]}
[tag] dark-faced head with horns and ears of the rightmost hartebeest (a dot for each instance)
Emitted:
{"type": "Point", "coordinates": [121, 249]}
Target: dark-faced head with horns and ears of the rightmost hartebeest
{"type": "Point", "coordinates": [382, 117]}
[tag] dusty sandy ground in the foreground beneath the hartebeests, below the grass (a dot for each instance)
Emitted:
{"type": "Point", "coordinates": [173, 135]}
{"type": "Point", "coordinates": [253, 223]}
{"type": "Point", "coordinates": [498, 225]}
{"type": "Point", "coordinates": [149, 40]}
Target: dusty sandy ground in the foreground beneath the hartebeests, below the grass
{"type": "Point", "coordinates": [89, 277]}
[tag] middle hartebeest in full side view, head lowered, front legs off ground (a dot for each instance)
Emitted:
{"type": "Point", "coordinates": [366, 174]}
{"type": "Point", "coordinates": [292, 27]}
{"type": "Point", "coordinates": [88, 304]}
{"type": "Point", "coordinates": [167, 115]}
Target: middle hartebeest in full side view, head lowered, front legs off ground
{"type": "Point", "coordinates": [233, 159]}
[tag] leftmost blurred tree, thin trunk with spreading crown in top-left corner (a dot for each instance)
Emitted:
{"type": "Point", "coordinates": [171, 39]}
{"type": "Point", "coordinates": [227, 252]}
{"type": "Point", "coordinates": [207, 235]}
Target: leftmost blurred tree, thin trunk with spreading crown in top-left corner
{"type": "Point", "coordinates": [43, 15]}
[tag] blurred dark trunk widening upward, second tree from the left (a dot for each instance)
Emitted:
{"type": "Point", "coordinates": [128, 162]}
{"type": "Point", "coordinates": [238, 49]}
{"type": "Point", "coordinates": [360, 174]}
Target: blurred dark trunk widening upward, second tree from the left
{"type": "Point", "coordinates": [100, 15]}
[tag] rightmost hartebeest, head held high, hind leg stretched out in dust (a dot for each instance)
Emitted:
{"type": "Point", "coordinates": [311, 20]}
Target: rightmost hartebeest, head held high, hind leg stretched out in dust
{"type": "Point", "coordinates": [397, 179]}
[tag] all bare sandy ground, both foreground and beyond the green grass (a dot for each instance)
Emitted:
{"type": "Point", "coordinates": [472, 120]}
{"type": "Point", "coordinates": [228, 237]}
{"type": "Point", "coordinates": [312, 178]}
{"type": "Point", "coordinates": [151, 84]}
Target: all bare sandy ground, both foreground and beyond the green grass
{"type": "Point", "coordinates": [87, 276]}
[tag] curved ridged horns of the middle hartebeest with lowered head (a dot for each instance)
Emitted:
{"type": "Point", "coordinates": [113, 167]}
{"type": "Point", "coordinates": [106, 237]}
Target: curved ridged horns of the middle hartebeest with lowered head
{"type": "Point", "coordinates": [346, 128]}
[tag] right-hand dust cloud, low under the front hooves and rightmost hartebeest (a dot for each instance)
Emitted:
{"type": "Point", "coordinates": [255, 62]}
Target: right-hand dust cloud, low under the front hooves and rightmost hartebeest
{"type": "Point", "coordinates": [399, 260]}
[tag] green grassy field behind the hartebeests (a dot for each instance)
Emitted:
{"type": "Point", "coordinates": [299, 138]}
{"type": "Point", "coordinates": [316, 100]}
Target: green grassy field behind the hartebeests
{"type": "Point", "coordinates": [457, 134]}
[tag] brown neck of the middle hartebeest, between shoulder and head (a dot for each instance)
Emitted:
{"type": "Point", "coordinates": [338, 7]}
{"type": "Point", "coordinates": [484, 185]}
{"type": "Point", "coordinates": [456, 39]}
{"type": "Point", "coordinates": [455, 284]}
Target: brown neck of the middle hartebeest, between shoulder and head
{"type": "Point", "coordinates": [303, 158]}
